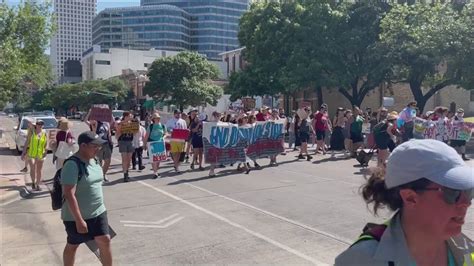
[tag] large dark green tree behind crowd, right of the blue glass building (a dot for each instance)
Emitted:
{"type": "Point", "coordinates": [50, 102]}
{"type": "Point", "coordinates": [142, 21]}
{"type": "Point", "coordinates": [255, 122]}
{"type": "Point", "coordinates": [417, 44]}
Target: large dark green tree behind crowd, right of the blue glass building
{"type": "Point", "coordinates": [313, 44]}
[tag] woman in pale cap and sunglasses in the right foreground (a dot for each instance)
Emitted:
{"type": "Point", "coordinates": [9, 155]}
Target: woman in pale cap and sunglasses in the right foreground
{"type": "Point", "coordinates": [430, 189]}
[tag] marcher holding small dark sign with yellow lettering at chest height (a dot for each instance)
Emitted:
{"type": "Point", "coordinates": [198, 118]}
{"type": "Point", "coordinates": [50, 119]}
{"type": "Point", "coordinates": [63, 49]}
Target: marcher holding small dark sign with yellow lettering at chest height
{"type": "Point", "coordinates": [125, 139]}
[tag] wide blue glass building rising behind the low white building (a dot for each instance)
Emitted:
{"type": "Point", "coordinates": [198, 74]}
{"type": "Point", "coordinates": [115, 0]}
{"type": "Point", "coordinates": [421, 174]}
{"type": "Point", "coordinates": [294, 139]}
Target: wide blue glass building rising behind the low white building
{"type": "Point", "coordinates": [208, 27]}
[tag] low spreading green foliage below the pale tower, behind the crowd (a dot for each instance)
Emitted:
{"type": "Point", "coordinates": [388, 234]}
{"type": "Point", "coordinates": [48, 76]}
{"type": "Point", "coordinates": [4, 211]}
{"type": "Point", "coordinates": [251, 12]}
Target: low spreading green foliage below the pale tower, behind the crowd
{"type": "Point", "coordinates": [82, 95]}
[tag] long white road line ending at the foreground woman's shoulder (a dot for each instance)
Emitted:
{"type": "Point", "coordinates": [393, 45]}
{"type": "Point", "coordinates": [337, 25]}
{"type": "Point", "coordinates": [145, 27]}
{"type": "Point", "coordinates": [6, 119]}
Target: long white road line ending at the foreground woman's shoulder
{"type": "Point", "coordinates": [307, 227]}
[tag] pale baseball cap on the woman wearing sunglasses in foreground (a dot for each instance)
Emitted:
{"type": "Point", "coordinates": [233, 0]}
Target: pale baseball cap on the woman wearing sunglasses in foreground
{"type": "Point", "coordinates": [430, 159]}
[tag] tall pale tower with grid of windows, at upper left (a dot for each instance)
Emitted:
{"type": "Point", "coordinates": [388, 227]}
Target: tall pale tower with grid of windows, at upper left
{"type": "Point", "coordinates": [72, 37]}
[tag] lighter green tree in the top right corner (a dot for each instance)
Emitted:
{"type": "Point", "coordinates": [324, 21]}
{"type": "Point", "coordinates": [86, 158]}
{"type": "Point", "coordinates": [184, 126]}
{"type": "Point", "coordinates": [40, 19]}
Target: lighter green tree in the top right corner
{"type": "Point", "coordinates": [429, 47]}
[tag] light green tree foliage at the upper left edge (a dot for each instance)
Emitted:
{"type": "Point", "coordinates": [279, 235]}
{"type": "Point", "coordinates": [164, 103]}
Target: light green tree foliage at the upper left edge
{"type": "Point", "coordinates": [25, 31]}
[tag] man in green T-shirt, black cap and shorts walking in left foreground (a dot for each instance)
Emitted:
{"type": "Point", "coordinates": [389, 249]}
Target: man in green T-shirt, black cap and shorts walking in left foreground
{"type": "Point", "coordinates": [83, 212]}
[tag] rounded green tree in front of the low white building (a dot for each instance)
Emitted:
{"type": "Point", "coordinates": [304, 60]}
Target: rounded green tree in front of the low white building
{"type": "Point", "coordinates": [184, 80]}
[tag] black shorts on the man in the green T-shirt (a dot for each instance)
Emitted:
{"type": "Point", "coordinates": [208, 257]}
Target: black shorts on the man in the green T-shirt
{"type": "Point", "coordinates": [97, 226]}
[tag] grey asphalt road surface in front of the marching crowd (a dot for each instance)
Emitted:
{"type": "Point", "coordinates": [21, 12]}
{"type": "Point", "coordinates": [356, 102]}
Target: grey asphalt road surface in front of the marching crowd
{"type": "Point", "coordinates": [296, 213]}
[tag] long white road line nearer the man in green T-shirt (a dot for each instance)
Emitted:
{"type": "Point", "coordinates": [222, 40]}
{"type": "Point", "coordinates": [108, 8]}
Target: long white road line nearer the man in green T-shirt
{"type": "Point", "coordinates": [221, 218]}
